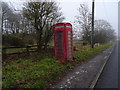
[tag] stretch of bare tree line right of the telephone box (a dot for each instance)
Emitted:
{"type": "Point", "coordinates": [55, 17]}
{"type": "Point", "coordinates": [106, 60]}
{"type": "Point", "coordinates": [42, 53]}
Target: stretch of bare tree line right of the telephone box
{"type": "Point", "coordinates": [103, 31]}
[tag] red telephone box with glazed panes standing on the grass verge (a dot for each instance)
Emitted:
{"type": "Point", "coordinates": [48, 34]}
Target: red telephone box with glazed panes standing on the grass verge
{"type": "Point", "coordinates": [63, 42]}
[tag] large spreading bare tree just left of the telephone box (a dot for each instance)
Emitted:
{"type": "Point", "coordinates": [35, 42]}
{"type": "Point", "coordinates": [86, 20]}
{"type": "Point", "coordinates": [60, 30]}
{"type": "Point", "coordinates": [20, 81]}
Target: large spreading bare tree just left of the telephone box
{"type": "Point", "coordinates": [42, 15]}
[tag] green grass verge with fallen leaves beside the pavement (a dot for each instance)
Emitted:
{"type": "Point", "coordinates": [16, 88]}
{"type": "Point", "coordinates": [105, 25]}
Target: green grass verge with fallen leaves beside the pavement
{"type": "Point", "coordinates": [27, 73]}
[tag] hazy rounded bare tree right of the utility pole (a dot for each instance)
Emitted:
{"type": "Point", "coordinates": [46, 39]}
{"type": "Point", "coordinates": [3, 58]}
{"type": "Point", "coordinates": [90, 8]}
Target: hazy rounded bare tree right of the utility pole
{"type": "Point", "coordinates": [103, 32]}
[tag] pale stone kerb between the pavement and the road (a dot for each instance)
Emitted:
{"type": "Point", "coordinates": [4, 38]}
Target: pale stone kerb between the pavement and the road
{"type": "Point", "coordinates": [92, 85]}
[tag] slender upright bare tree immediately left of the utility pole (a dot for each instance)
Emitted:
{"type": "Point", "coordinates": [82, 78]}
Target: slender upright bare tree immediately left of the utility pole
{"type": "Point", "coordinates": [83, 21]}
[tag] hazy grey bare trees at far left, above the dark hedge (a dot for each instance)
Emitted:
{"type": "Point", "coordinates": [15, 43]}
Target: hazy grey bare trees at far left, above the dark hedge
{"type": "Point", "coordinates": [10, 19]}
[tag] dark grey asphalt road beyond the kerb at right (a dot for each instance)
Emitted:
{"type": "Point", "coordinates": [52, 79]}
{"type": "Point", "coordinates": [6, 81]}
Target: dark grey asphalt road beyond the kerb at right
{"type": "Point", "coordinates": [109, 76]}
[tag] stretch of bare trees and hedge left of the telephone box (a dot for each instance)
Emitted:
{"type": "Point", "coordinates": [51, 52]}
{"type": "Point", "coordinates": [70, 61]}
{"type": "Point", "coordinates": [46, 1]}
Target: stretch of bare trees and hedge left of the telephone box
{"type": "Point", "coordinates": [32, 25]}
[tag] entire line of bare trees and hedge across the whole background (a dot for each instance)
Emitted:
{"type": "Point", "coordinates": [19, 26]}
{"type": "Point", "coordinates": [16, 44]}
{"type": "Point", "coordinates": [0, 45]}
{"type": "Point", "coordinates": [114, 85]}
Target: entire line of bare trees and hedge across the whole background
{"type": "Point", "coordinates": [34, 24]}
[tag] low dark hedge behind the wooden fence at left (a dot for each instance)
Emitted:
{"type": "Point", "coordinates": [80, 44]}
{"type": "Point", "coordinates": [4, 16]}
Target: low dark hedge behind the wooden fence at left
{"type": "Point", "coordinates": [18, 39]}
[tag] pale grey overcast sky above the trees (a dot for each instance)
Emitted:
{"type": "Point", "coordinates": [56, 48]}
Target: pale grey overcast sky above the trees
{"type": "Point", "coordinates": [104, 9]}
